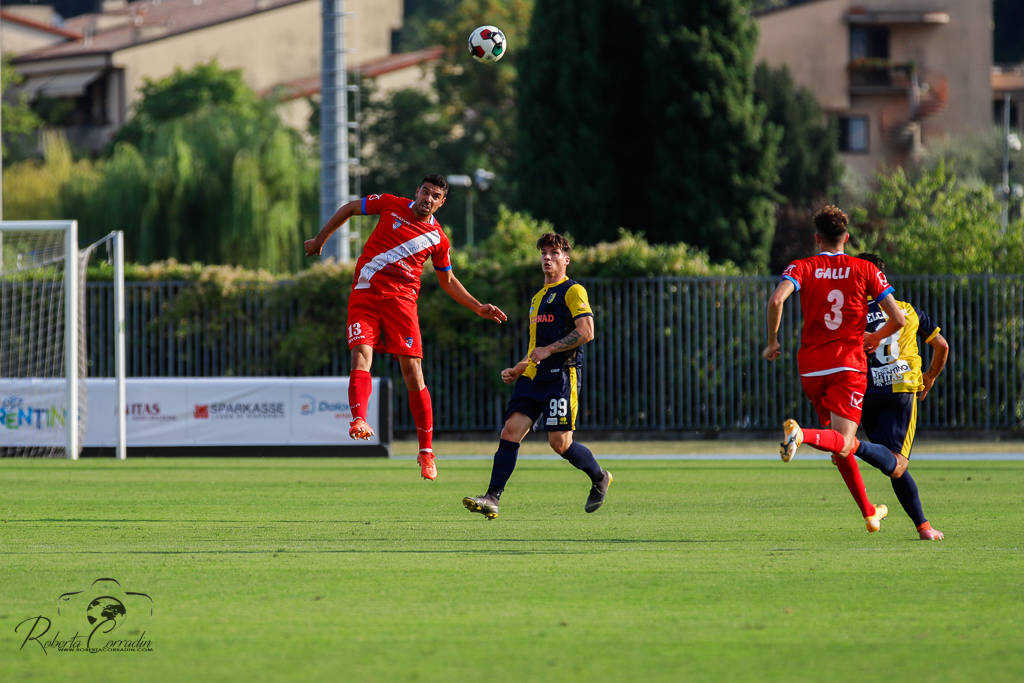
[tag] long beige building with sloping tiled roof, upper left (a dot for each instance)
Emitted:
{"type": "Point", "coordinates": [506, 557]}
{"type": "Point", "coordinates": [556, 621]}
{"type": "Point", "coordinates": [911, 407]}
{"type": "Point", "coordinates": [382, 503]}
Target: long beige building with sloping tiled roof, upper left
{"type": "Point", "coordinates": [107, 58]}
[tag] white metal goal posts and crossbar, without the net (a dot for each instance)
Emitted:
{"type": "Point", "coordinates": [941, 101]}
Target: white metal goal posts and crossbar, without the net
{"type": "Point", "coordinates": [73, 318]}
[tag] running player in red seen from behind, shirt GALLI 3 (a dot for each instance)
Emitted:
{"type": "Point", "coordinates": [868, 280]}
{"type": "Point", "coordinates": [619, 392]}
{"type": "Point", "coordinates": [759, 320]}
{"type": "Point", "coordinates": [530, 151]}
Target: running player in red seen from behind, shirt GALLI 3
{"type": "Point", "coordinates": [835, 290]}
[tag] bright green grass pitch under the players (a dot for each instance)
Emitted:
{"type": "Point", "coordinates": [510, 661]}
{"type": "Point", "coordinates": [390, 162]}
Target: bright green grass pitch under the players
{"type": "Point", "coordinates": [358, 571]}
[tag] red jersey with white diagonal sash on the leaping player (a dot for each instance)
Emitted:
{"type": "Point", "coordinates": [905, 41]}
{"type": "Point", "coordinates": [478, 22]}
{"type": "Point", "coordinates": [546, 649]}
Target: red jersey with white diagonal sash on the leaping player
{"type": "Point", "coordinates": [393, 260]}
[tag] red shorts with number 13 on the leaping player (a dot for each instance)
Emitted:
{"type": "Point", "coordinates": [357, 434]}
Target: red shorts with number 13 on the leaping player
{"type": "Point", "coordinates": [390, 325]}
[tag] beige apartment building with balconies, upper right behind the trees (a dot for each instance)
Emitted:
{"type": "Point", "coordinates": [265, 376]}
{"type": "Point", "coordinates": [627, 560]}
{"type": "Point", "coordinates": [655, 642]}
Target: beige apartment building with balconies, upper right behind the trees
{"type": "Point", "coordinates": [897, 74]}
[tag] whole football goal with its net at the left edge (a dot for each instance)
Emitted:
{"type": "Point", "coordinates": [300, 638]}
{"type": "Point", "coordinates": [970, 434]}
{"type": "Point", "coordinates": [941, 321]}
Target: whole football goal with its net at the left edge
{"type": "Point", "coordinates": [44, 346]}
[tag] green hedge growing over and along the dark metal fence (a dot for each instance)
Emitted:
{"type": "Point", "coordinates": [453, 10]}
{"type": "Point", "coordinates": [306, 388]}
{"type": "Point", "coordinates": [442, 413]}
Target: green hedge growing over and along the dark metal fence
{"type": "Point", "coordinates": [504, 271]}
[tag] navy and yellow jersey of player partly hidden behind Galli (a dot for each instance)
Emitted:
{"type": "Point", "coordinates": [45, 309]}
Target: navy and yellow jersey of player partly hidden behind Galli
{"type": "Point", "coordinates": [895, 366]}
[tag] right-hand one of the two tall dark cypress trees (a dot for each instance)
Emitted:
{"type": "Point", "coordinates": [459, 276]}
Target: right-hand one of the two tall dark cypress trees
{"type": "Point", "coordinates": [715, 157]}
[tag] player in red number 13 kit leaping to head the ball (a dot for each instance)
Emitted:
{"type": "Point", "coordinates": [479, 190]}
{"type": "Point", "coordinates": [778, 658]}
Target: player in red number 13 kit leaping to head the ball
{"type": "Point", "coordinates": [382, 314]}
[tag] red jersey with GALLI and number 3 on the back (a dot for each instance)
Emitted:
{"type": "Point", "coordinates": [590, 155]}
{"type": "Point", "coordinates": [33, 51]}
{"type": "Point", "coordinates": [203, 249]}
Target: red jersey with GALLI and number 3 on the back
{"type": "Point", "coordinates": [835, 290]}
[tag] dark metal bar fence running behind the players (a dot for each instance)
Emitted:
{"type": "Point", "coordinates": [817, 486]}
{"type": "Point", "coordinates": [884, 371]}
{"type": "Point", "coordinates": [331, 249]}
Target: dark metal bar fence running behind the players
{"type": "Point", "coordinates": [672, 355]}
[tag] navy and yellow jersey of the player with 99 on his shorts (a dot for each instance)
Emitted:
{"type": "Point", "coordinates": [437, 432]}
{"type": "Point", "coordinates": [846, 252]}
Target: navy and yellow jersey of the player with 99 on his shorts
{"type": "Point", "coordinates": [553, 313]}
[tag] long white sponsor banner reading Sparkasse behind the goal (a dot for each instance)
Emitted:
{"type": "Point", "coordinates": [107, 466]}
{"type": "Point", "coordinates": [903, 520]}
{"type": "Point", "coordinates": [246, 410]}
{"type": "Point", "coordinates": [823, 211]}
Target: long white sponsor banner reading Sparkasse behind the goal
{"type": "Point", "coordinates": [166, 412]}
